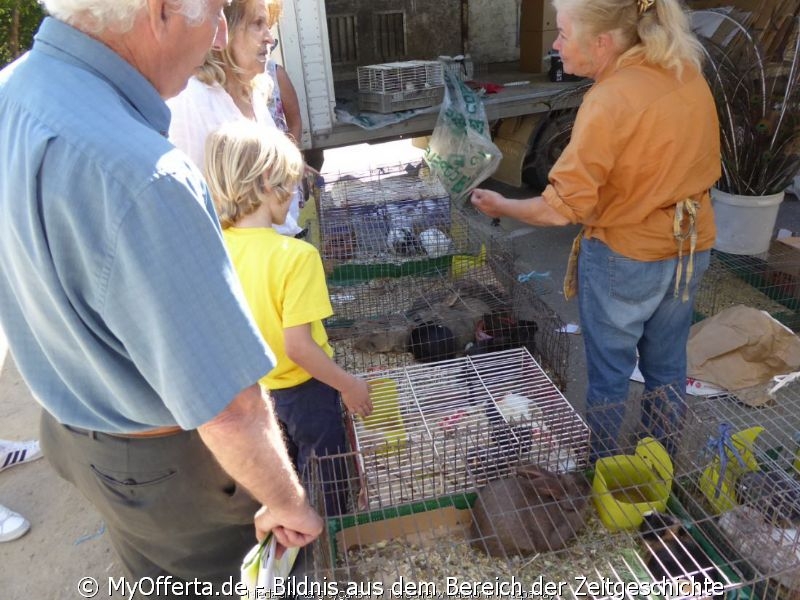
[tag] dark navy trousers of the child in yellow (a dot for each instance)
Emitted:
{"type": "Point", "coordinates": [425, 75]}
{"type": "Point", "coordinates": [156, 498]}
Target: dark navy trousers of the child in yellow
{"type": "Point", "coordinates": [311, 417]}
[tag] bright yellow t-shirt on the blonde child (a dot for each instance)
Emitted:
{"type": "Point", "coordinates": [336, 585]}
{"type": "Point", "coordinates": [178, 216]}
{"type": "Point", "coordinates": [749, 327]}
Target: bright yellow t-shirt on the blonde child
{"type": "Point", "coordinates": [284, 283]}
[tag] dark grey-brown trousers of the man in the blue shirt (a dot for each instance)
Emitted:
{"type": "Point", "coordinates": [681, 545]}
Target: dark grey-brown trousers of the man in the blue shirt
{"type": "Point", "coordinates": [168, 506]}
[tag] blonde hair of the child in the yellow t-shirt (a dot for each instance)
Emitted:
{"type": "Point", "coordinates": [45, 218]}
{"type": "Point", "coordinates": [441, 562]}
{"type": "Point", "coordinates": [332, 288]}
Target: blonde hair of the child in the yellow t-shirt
{"type": "Point", "coordinates": [238, 156]}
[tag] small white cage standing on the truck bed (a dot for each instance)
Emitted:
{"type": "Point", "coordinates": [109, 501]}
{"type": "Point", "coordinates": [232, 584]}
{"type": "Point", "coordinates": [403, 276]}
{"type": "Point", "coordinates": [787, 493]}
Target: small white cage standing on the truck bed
{"type": "Point", "coordinates": [391, 87]}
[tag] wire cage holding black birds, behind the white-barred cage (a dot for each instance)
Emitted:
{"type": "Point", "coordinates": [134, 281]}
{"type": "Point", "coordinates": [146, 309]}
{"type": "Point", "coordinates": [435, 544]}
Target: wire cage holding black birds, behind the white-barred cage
{"type": "Point", "coordinates": [467, 306]}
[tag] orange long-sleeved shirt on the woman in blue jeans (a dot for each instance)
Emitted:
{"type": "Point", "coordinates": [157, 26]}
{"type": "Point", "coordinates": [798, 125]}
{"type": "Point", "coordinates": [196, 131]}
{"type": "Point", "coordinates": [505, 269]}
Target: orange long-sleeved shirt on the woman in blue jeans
{"type": "Point", "coordinates": [643, 140]}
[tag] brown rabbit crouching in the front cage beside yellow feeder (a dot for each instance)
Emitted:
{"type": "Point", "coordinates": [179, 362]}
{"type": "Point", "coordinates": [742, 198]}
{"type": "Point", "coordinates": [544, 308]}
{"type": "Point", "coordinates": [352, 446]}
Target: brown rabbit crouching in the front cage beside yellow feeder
{"type": "Point", "coordinates": [532, 511]}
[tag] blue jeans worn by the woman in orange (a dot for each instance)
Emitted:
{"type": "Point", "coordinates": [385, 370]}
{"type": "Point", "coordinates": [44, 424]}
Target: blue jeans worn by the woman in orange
{"type": "Point", "coordinates": [627, 306]}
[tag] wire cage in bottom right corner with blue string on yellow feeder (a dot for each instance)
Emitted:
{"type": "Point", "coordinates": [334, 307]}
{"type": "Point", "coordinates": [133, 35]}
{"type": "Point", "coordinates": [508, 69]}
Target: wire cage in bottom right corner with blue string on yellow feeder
{"type": "Point", "coordinates": [745, 487]}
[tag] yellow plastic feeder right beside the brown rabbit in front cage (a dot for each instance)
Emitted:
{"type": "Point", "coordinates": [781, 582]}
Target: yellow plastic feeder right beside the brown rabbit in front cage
{"type": "Point", "coordinates": [627, 486]}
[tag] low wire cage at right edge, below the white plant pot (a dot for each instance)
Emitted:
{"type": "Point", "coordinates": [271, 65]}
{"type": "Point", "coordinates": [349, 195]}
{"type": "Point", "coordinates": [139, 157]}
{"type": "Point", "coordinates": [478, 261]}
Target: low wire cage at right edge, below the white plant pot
{"type": "Point", "coordinates": [768, 282]}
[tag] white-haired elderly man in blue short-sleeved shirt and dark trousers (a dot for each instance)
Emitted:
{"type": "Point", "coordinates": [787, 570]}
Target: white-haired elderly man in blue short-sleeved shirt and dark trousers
{"type": "Point", "coordinates": [121, 308]}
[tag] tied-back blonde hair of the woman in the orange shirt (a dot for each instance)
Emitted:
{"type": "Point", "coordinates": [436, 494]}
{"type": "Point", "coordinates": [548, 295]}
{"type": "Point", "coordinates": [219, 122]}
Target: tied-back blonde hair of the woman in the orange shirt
{"type": "Point", "coordinates": [661, 35]}
